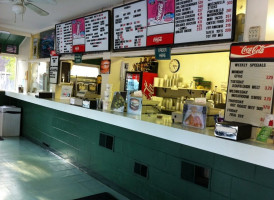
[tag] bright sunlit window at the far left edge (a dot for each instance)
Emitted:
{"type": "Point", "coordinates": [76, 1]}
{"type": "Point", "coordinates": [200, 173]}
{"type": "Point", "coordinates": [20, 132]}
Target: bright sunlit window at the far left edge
{"type": "Point", "coordinates": [7, 73]}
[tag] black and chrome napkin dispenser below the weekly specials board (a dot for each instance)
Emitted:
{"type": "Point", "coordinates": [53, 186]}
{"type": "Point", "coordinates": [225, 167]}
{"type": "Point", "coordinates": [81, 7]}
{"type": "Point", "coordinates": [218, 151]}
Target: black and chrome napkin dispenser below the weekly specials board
{"type": "Point", "coordinates": [233, 130]}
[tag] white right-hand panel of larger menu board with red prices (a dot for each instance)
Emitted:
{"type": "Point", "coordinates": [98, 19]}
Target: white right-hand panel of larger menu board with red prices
{"type": "Point", "coordinates": [203, 20]}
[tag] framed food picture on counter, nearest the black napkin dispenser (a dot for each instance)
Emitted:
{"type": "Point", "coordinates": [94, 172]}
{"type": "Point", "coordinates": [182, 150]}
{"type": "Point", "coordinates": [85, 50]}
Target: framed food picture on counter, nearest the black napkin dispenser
{"type": "Point", "coordinates": [194, 116]}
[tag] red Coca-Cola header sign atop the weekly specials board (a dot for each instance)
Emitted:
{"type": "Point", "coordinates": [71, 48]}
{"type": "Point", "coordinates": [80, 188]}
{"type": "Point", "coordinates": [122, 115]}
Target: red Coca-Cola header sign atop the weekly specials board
{"type": "Point", "coordinates": [252, 51]}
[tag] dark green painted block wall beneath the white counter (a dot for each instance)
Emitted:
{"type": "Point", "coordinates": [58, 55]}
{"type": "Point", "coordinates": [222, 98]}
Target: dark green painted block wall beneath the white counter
{"type": "Point", "coordinates": [77, 139]}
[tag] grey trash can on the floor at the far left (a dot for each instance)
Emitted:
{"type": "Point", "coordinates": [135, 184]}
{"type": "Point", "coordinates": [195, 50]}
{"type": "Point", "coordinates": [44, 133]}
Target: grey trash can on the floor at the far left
{"type": "Point", "coordinates": [10, 118]}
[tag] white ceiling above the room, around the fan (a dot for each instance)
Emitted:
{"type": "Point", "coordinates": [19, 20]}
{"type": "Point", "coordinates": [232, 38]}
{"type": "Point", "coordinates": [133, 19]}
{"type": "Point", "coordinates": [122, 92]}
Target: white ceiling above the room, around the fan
{"type": "Point", "coordinates": [64, 10]}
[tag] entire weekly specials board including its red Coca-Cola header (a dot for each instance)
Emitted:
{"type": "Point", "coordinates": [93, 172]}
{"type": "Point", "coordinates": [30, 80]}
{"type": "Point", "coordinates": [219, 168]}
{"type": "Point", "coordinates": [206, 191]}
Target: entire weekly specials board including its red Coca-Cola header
{"type": "Point", "coordinates": [251, 82]}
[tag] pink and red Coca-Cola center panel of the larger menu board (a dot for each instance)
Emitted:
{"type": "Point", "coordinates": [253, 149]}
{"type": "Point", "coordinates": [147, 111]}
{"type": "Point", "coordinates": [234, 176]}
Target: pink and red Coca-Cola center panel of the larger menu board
{"type": "Point", "coordinates": [160, 29]}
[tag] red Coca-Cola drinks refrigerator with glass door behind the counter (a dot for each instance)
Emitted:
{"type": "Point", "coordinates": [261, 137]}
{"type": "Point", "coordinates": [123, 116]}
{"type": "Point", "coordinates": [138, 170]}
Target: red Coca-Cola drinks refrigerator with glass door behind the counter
{"type": "Point", "coordinates": [140, 81]}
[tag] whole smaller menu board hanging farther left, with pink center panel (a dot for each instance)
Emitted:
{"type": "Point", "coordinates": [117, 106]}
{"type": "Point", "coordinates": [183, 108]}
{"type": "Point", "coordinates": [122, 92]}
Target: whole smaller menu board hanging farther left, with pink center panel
{"type": "Point", "coordinates": [95, 31]}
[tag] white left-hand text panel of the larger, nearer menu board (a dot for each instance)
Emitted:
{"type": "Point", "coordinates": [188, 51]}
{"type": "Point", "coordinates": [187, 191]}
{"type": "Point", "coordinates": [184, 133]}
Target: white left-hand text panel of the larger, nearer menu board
{"type": "Point", "coordinates": [130, 25]}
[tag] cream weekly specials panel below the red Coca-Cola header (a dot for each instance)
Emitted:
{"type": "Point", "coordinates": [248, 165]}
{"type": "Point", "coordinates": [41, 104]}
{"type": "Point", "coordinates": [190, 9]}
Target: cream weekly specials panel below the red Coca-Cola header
{"type": "Point", "coordinates": [250, 92]}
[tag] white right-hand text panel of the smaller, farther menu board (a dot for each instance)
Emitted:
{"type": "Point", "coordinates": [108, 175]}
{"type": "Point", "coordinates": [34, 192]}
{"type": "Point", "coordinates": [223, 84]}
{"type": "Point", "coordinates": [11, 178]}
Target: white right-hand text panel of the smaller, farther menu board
{"type": "Point", "coordinates": [97, 32]}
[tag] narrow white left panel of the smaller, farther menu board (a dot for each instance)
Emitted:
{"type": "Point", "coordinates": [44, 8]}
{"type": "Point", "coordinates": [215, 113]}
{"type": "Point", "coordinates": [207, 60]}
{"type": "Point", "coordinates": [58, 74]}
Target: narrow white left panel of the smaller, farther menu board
{"type": "Point", "coordinates": [64, 38]}
